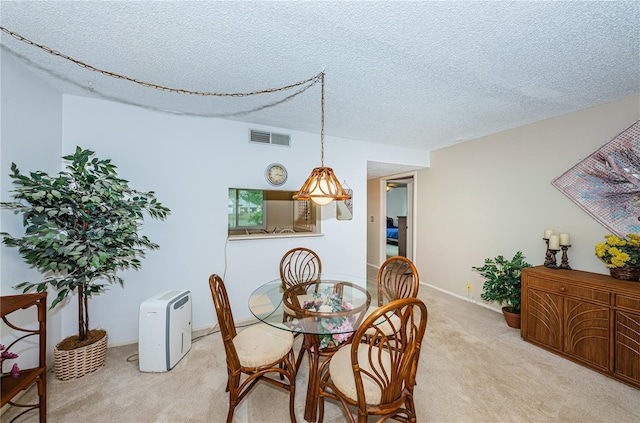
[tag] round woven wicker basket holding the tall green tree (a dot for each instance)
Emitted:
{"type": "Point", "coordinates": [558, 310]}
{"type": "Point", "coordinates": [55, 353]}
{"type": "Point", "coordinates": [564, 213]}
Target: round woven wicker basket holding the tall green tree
{"type": "Point", "coordinates": [74, 364]}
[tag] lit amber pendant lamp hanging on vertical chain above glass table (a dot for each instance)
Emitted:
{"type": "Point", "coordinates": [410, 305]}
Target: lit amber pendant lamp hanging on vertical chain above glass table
{"type": "Point", "coordinates": [322, 186]}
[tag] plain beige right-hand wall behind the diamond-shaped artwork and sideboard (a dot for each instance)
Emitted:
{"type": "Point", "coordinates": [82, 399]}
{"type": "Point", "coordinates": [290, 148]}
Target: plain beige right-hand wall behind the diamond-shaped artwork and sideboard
{"type": "Point", "coordinates": [494, 196]}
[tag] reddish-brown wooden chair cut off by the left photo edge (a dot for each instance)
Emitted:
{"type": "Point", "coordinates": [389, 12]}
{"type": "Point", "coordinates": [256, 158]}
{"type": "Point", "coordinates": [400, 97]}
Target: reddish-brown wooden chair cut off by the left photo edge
{"type": "Point", "coordinates": [12, 386]}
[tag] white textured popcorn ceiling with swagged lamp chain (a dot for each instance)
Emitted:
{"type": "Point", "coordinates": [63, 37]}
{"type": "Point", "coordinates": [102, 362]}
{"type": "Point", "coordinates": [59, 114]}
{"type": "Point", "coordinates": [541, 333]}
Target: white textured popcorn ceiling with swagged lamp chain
{"type": "Point", "coordinates": [417, 74]}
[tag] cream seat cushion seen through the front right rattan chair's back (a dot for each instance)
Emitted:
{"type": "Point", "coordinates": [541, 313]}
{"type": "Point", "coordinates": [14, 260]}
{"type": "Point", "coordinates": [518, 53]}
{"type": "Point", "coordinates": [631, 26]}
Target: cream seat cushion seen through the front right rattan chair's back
{"type": "Point", "coordinates": [341, 372]}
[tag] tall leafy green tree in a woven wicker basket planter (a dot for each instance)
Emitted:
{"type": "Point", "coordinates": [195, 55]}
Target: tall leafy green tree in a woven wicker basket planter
{"type": "Point", "coordinates": [82, 227]}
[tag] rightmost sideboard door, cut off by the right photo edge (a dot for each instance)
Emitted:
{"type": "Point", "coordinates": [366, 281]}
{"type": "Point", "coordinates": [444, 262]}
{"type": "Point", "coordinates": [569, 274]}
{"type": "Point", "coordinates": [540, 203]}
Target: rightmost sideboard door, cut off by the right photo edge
{"type": "Point", "coordinates": [627, 363]}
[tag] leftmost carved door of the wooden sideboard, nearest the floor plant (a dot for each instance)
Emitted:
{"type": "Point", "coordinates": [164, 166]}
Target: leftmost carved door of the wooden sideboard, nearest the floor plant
{"type": "Point", "coordinates": [544, 318]}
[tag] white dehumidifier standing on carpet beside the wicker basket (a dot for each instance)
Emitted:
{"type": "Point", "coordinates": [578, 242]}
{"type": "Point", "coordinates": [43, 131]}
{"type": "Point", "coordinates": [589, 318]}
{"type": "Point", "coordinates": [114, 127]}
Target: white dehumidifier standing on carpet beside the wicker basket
{"type": "Point", "coordinates": [164, 330]}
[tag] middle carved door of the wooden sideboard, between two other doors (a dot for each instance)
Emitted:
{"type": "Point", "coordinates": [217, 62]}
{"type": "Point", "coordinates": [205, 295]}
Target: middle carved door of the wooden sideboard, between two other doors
{"type": "Point", "coordinates": [587, 332]}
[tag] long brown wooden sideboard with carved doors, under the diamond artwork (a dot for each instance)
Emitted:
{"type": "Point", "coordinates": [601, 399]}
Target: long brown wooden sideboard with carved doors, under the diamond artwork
{"type": "Point", "coordinates": [589, 318]}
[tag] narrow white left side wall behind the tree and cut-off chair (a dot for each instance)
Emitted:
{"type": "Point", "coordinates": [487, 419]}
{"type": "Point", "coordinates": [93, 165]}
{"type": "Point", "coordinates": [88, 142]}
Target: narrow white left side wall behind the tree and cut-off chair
{"type": "Point", "coordinates": [31, 136]}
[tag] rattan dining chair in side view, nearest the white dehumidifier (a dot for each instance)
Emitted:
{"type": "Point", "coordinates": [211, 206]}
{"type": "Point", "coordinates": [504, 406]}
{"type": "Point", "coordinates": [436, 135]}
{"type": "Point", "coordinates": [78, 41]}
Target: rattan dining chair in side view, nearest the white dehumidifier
{"type": "Point", "coordinates": [253, 353]}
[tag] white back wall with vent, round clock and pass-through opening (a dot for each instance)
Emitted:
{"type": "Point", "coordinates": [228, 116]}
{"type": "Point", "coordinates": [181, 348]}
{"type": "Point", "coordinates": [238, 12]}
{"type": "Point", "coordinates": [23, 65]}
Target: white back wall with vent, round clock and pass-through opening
{"type": "Point", "coordinates": [190, 163]}
